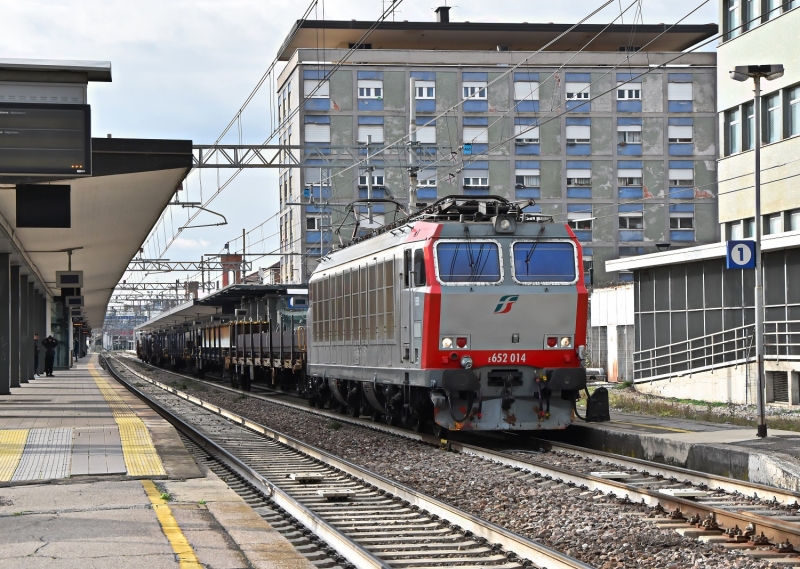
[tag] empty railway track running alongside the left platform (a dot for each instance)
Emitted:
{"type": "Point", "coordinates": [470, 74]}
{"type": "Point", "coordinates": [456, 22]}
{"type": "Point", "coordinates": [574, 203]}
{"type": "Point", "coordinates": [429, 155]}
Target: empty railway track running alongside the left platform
{"type": "Point", "coordinates": [367, 519]}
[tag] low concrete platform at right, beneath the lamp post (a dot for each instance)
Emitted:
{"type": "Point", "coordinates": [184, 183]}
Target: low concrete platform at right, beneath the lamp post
{"type": "Point", "coordinates": [716, 448]}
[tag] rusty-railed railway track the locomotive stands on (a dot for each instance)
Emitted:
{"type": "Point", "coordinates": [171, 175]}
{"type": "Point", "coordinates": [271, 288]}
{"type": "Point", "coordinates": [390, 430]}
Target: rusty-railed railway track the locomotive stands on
{"type": "Point", "coordinates": [732, 513]}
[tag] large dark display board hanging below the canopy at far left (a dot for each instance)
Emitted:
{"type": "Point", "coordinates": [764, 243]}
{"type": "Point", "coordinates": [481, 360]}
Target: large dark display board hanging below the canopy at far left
{"type": "Point", "coordinates": [45, 140]}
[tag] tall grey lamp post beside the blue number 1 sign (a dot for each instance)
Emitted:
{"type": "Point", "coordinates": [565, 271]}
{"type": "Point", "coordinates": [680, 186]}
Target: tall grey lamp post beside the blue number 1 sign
{"type": "Point", "coordinates": [743, 73]}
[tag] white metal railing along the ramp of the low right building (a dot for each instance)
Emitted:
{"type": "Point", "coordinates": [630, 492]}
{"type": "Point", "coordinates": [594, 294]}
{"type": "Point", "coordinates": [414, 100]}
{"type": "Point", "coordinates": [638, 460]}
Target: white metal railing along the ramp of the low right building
{"type": "Point", "coordinates": [716, 350]}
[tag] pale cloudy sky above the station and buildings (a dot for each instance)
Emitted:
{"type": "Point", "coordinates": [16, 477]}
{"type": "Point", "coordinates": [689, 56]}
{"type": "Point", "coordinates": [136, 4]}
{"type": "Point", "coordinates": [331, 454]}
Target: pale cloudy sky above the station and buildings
{"type": "Point", "coordinates": [182, 69]}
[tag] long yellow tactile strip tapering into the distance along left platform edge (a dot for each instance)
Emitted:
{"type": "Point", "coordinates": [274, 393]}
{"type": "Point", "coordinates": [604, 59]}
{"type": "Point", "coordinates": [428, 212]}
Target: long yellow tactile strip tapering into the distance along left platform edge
{"type": "Point", "coordinates": [141, 458]}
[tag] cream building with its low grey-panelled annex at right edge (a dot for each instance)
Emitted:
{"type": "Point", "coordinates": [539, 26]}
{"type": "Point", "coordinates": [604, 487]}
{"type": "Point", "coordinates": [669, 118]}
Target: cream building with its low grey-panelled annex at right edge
{"type": "Point", "coordinates": [694, 318]}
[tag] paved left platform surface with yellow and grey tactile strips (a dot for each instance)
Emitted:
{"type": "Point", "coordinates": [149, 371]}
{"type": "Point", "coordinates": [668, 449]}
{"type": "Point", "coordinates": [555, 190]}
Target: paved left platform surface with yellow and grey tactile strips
{"type": "Point", "coordinates": [90, 477]}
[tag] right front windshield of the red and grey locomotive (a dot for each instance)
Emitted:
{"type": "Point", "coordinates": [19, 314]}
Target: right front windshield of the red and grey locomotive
{"type": "Point", "coordinates": [544, 262]}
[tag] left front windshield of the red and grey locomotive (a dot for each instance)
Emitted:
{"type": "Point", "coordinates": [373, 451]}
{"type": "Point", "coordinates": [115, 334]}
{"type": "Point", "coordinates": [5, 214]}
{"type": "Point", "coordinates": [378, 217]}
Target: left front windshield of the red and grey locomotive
{"type": "Point", "coordinates": [468, 262]}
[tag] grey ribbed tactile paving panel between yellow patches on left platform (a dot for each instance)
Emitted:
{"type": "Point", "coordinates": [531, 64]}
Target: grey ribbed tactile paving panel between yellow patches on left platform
{"type": "Point", "coordinates": [46, 456]}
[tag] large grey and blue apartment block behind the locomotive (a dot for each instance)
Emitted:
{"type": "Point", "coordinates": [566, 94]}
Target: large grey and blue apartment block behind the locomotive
{"type": "Point", "coordinates": [620, 143]}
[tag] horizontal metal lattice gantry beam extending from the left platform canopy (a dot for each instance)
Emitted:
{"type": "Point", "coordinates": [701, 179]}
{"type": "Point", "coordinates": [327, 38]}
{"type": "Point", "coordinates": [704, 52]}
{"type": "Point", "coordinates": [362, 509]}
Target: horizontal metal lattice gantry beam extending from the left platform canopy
{"type": "Point", "coordinates": [297, 156]}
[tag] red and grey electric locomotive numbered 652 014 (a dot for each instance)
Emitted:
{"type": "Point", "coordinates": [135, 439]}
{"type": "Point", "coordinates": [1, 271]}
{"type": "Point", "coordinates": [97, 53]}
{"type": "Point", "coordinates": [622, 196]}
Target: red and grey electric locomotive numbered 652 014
{"type": "Point", "coordinates": [470, 314]}
